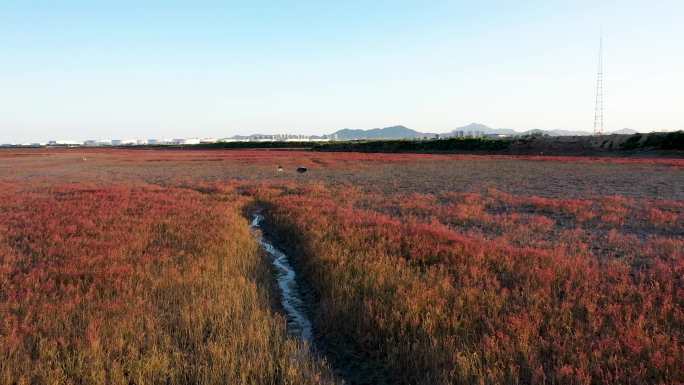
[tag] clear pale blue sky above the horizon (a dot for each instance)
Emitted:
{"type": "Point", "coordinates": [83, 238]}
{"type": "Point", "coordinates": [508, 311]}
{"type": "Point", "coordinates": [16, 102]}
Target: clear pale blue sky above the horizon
{"type": "Point", "coordinates": [162, 69]}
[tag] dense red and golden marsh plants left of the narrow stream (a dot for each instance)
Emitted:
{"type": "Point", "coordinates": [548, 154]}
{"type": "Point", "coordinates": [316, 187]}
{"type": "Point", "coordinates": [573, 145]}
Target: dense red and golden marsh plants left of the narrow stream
{"type": "Point", "coordinates": [137, 285]}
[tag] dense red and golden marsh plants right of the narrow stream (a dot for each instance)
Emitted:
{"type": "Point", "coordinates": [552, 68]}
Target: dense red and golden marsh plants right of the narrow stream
{"type": "Point", "coordinates": [440, 289]}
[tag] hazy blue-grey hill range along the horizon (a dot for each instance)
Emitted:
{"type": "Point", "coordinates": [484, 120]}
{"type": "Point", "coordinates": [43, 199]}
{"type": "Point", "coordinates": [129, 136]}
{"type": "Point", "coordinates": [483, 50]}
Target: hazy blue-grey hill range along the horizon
{"type": "Point", "coordinates": [473, 129]}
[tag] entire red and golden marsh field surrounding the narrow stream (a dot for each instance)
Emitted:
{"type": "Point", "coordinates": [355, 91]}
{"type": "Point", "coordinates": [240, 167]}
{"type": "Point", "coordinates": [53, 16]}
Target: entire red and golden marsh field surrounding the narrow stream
{"type": "Point", "coordinates": [137, 266]}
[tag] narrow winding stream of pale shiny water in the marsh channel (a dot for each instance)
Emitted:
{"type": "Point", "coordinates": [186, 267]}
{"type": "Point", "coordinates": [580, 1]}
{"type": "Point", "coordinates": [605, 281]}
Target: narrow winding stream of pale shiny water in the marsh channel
{"type": "Point", "coordinates": [298, 324]}
